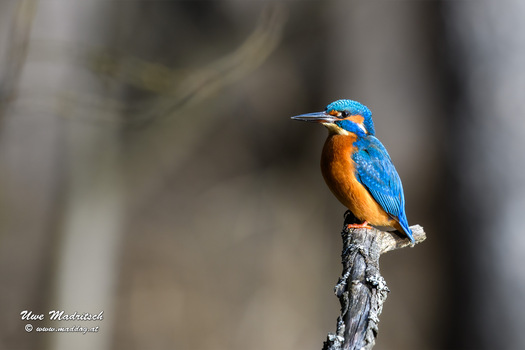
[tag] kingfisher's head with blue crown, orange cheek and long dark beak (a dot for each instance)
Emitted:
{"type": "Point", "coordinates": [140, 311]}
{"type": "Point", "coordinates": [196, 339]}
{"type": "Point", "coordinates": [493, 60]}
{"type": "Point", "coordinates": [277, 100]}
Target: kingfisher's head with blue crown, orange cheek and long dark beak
{"type": "Point", "coordinates": [343, 117]}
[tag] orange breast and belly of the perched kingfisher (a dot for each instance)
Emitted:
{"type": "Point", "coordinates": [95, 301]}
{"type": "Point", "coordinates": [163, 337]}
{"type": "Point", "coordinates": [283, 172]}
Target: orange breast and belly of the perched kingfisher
{"type": "Point", "coordinates": [337, 167]}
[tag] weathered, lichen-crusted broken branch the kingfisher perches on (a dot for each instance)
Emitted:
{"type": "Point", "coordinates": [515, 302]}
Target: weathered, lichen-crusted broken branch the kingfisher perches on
{"type": "Point", "coordinates": [361, 288]}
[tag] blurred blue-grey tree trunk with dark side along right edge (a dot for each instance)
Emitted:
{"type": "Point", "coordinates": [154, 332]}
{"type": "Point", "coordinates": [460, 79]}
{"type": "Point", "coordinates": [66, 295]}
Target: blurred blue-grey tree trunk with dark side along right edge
{"type": "Point", "coordinates": [486, 143]}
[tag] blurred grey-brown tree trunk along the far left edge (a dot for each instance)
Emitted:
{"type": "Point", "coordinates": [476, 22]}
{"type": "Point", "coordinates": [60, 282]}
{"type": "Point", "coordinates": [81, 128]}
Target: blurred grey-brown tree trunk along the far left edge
{"type": "Point", "coordinates": [28, 183]}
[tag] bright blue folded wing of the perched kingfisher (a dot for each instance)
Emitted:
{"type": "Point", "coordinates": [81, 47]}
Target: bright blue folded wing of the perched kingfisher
{"type": "Point", "coordinates": [375, 171]}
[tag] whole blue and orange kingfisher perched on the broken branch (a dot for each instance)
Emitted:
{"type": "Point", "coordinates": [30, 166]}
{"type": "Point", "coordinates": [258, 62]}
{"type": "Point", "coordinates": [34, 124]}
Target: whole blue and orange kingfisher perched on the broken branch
{"type": "Point", "coordinates": [357, 167]}
